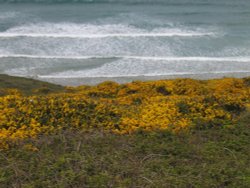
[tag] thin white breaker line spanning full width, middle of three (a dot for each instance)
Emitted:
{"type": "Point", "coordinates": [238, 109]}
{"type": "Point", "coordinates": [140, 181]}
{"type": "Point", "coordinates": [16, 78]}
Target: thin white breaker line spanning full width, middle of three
{"type": "Point", "coordinates": [151, 58]}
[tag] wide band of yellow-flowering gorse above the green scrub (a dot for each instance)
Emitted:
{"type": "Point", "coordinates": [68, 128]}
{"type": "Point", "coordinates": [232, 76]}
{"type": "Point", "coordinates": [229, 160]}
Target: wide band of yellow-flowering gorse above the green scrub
{"type": "Point", "coordinates": [123, 108]}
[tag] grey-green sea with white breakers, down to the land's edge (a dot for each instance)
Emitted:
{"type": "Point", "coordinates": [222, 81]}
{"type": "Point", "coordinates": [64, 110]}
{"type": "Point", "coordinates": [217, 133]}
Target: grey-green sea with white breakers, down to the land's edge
{"type": "Point", "coordinates": [89, 41]}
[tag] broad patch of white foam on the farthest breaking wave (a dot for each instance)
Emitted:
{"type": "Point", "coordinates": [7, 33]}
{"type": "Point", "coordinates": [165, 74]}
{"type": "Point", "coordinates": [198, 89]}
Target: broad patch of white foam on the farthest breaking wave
{"type": "Point", "coordinates": [71, 30]}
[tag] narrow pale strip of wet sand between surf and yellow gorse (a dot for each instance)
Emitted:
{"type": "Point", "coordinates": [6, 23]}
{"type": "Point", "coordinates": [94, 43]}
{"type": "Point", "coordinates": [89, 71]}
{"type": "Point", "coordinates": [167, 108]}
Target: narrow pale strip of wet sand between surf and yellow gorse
{"type": "Point", "coordinates": [91, 81]}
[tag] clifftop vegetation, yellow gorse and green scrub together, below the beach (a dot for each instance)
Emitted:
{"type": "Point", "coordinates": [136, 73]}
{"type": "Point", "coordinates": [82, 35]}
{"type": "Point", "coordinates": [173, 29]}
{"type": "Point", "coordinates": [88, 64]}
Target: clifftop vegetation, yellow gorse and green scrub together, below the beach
{"type": "Point", "coordinates": [169, 133]}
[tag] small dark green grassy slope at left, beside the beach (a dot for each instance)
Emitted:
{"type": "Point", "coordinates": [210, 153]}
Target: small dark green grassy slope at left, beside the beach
{"type": "Point", "coordinates": [27, 85]}
